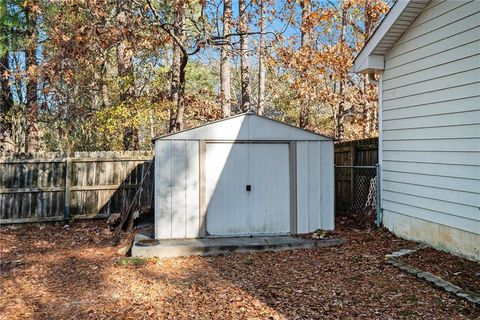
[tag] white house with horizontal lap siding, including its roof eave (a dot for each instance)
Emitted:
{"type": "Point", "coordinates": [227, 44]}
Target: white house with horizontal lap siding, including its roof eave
{"type": "Point", "coordinates": [427, 54]}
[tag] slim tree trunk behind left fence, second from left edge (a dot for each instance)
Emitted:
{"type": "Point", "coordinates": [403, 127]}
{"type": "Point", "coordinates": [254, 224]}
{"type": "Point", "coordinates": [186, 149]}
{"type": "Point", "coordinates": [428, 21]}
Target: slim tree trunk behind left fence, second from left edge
{"type": "Point", "coordinates": [31, 132]}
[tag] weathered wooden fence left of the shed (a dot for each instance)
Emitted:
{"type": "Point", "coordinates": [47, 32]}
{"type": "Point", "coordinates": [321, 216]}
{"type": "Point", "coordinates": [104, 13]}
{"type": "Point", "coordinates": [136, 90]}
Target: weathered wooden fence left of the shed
{"type": "Point", "coordinates": [54, 186]}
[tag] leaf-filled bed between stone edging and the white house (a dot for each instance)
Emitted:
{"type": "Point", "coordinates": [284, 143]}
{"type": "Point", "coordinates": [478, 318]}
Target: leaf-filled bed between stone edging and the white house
{"type": "Point", "coordinates": [459, 271]}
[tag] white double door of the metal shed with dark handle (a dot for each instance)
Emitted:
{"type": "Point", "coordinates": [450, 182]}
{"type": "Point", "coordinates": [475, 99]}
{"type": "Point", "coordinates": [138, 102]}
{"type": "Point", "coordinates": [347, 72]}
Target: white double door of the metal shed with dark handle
{"type": "Point", "coordinates": [231, 208]}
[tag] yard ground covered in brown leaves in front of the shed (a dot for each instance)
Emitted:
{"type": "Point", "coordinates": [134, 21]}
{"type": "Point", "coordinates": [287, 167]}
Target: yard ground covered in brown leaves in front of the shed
{"type": "Point", "coordinates": [54, 273]}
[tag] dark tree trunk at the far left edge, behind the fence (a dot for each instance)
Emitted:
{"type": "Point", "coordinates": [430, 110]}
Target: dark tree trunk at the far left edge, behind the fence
{"type": "Point", "coordinates": [6, 103]}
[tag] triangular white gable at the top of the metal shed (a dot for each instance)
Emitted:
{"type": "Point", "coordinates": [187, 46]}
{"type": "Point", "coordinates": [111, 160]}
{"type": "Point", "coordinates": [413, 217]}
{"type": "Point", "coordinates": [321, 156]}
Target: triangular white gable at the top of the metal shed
{"type": "Point", "coordinates": [245, 126]}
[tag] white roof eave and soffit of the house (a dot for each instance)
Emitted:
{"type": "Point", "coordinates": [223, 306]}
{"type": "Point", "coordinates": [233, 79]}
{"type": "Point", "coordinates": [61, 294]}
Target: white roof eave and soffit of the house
{"type": "Point", "coordinates": [395, 23]}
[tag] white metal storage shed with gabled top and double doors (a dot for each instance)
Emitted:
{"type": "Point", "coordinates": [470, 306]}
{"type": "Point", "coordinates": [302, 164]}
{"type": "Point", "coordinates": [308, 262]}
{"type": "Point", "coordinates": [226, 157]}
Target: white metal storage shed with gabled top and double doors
{"type": "Point", "coordinates": [244, 175]}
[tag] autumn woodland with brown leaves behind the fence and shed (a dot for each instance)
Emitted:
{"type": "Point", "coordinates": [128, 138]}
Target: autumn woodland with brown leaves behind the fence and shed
{"type": "Point", "coordinates": [105, 77]}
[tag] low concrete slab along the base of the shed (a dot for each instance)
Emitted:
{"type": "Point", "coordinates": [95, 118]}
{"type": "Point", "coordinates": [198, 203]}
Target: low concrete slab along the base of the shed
{"type": "Point", "coordinates": [216, 246]}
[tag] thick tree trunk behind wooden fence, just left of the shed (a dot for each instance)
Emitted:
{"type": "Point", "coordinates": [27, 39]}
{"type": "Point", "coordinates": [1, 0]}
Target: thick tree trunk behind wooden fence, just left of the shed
{"type": "Point", "coordinates": [125, 71]}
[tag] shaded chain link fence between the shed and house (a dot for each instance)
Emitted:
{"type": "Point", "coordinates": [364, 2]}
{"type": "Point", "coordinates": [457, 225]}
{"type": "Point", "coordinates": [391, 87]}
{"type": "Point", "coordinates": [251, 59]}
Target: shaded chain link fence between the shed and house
{"type": "Point", "coordinates": [356, 193]}
